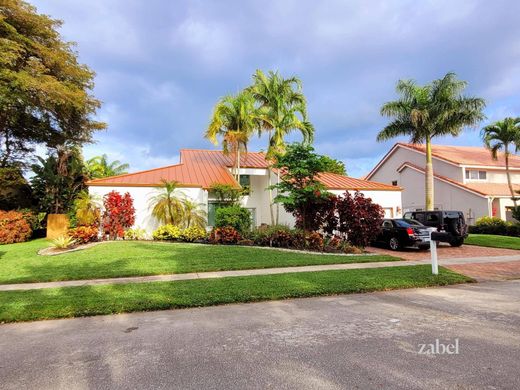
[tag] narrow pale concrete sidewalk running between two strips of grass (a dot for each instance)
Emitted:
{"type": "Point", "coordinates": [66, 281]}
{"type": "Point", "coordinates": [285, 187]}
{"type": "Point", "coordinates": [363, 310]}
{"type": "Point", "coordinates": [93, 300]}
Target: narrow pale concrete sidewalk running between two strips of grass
{"type": "Point", "coordinates": [252, 272]}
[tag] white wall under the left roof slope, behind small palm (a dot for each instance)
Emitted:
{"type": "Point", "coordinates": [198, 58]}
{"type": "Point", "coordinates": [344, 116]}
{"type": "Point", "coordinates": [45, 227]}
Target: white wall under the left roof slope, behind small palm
{"type": "Point", "coordinates": [141, 197]}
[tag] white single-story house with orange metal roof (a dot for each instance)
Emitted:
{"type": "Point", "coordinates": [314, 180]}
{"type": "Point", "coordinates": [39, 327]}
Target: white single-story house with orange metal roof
{"type": "Point", "coordinates": [199, 169]}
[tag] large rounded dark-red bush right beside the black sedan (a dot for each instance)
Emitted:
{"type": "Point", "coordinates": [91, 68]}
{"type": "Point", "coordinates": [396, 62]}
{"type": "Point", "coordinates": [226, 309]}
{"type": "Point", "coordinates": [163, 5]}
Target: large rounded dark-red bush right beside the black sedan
{"type": "Point", "coordinates": [359, 219]}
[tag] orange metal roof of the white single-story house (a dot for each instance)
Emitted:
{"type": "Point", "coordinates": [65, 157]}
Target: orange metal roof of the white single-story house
{"type": "Point", "coordinates": [202, 168]}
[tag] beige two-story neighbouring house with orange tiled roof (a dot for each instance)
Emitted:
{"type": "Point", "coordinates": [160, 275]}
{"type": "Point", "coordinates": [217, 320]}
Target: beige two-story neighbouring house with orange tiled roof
{"type": "Point", "coordinates": [466, 178]}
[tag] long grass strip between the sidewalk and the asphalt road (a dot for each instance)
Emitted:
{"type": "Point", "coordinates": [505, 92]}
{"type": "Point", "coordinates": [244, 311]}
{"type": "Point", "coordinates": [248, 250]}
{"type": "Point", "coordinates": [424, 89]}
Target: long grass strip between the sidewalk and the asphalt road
{"type": "Point", "coordinates": [108, 299]}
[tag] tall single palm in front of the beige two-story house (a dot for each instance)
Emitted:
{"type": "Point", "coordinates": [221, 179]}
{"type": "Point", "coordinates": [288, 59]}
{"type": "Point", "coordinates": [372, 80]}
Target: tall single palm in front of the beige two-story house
{"type": "Point", "coordinates": [429, 111]}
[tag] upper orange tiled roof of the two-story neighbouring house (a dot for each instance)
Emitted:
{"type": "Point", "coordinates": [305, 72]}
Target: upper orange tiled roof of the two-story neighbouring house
{"type": "Point", "coordinates": [467, 155]}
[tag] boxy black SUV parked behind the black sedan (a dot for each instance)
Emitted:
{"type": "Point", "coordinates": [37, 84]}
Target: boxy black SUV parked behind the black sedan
{"type": "Point", "coordinates": [451, 222]}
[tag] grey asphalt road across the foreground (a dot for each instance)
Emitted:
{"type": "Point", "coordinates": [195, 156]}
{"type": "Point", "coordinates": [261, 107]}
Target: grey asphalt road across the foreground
{"type": "Point", "coordinates": [365, 341]}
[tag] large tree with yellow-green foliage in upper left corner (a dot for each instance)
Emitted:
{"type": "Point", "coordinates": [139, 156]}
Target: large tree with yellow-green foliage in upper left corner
{"type": "Point", "coordinates": [45, 93]}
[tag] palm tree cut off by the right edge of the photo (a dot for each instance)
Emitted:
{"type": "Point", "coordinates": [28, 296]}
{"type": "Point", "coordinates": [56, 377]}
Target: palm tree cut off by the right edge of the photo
{"type": "Point", "coordinates": [503, 135]}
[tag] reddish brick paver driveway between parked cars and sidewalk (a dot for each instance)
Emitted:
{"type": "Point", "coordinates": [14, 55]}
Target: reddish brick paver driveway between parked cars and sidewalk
{"type": "Point", "coordinates": [445, 251]}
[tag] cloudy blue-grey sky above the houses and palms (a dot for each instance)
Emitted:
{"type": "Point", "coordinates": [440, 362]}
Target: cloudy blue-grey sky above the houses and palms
{"type": "Point", "coordinates": [162, 65]}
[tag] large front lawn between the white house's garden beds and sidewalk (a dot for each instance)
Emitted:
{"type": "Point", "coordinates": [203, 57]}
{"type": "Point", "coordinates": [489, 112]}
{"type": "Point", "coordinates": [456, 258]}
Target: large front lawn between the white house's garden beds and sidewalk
{"type": "Point", "coordinates": [19, 263]}
